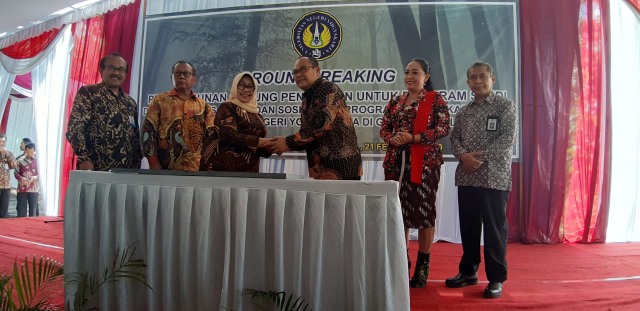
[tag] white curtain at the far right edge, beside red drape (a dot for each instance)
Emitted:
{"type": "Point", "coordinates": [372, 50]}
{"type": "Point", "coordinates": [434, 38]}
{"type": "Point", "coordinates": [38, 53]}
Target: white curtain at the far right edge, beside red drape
{"type": "Point", "coordinates": [624, 211]}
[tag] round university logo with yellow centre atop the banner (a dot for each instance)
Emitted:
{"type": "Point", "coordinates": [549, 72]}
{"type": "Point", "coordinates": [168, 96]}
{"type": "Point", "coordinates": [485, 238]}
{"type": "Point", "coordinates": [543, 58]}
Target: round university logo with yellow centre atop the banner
{"type": "Point", "coordinates": [317, 34]}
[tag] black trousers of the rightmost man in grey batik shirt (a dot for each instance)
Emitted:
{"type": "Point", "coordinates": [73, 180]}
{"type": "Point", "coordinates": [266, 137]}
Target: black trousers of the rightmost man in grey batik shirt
{"type": "Point", "coordinates": [478, 207]}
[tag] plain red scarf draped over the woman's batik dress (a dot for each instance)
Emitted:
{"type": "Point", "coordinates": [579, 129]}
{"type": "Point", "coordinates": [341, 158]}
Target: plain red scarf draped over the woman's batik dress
{"type": "Point", "coordinates": [418, 149]}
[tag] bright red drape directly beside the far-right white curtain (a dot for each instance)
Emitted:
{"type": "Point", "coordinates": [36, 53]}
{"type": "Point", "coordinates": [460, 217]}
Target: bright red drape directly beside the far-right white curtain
{"type": "Point", "coordinates": [586, 205]}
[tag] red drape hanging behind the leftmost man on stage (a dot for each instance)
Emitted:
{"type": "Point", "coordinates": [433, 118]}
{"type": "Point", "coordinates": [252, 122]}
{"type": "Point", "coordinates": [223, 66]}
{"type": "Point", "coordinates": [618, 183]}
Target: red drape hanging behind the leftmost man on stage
{"type": "Point", "coordinates": [94, 38]}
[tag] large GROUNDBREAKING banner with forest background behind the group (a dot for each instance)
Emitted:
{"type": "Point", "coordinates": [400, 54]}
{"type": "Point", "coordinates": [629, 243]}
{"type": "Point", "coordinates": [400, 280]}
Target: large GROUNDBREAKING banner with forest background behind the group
{"type": "Point", "coordinates": [361, 47]}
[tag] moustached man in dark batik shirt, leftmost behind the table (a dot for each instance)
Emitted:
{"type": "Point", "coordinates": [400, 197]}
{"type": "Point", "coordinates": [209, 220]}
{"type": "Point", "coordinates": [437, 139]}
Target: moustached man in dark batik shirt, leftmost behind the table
{"type": "Point", "coordinates": [103, 125]}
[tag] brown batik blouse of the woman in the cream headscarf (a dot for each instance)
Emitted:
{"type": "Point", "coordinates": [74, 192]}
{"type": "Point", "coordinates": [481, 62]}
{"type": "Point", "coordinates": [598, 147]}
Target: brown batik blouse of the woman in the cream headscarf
{"type": "Point", "coordinates": [234, 145]}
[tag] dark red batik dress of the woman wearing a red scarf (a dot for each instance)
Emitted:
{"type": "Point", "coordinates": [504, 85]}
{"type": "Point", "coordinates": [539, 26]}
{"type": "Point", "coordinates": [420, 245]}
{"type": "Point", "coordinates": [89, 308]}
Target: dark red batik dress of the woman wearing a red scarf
{"type": "Point", "coordinates": [416, 200]}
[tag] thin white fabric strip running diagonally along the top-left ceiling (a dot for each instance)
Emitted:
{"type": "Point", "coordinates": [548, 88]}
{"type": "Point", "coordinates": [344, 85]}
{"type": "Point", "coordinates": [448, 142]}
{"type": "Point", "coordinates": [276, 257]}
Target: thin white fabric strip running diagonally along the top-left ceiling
{"type": "Point", "coordinates": [66, 19]}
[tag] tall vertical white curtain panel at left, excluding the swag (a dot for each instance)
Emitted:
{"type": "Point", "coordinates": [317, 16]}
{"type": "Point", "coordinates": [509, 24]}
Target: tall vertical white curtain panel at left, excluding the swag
{"type": "Point", "coordinates": [49, 81]}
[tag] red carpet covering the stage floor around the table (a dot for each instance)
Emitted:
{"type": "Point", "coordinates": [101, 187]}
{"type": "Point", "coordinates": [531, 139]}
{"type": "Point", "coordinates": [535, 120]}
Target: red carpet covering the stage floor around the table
{"type": "Point", "coordinates": [541, 277]}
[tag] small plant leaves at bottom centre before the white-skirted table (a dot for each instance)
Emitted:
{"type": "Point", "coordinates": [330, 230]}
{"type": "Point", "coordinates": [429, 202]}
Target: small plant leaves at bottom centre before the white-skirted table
{"type": "Point", "coordinates": [270, 300]}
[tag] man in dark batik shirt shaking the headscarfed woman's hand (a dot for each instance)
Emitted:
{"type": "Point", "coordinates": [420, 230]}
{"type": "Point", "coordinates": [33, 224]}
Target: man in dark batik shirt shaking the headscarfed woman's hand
{"type": "Point", "coordinates": [327, 132]}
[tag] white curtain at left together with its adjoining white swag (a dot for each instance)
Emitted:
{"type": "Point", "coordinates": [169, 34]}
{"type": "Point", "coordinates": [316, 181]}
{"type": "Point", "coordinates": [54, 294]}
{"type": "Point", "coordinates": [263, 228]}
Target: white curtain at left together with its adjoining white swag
{"type": "Point", "coordinates": [50, 70]}
